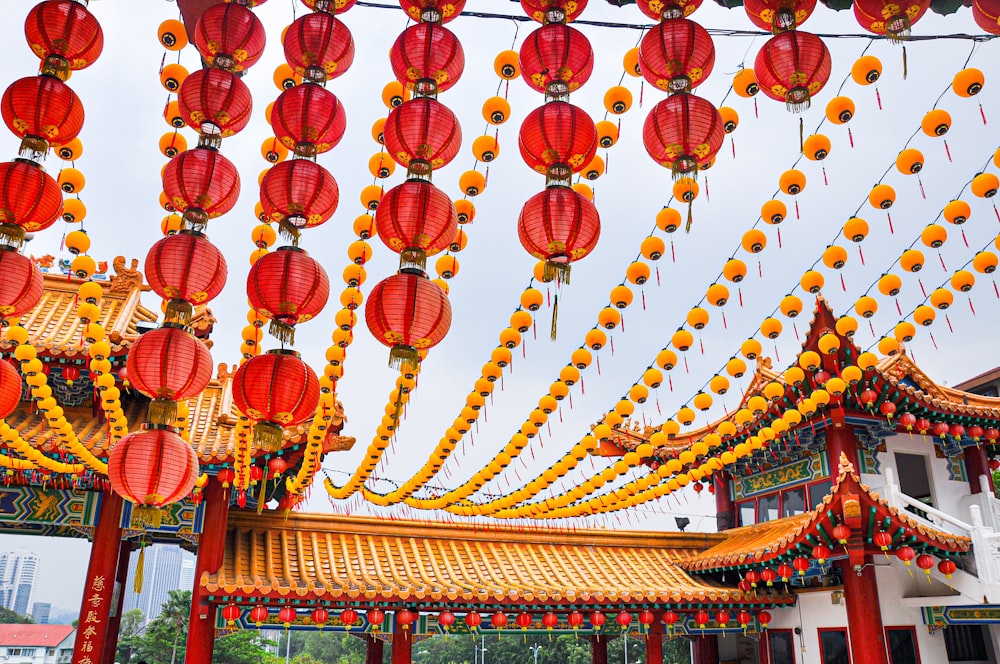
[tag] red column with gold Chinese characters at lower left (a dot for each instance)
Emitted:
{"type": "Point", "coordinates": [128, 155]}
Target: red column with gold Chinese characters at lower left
{"type": "Point", "coordinates": [93, 628]}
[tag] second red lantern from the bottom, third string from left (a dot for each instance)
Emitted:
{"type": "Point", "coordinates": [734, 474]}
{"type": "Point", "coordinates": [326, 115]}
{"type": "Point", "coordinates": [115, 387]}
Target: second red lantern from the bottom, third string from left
{"type": "Point", "coordinates": [289, 287]}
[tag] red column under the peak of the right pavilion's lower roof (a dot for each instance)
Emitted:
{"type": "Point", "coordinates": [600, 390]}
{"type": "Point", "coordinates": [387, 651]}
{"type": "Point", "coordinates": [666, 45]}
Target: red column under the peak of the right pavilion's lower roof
{"type": "Point", "coordinates": [864, 615]}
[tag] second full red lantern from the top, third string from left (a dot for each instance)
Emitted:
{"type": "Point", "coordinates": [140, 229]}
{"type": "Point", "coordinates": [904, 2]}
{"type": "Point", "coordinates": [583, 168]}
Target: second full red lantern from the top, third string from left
{"type": "Point", "coordinates": [308, 119]}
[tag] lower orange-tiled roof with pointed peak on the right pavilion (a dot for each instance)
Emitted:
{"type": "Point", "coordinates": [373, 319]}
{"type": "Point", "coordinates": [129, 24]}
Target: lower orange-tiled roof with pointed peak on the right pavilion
{"type": "Point", "coordinates": [849, 501]}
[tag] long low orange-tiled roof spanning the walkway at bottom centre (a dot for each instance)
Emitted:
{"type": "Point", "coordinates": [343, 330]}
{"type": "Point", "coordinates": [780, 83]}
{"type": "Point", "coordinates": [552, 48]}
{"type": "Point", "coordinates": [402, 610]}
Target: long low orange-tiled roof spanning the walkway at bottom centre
{"type": "Point", "coordinates": [353, 560]}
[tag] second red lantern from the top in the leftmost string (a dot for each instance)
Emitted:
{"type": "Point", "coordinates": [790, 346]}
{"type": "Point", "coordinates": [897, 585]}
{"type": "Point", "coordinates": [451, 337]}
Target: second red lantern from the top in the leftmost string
{"type": "Point", "coordinates": [43, 111]}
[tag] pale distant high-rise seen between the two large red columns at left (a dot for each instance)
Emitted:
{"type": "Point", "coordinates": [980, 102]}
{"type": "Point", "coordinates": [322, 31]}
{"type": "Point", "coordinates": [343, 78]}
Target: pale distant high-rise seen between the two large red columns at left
{"type": "Point", "coordinates": [163, 571]}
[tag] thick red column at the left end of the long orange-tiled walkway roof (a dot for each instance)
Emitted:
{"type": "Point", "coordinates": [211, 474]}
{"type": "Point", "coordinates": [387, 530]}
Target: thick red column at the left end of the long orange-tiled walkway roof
{"type": "Point", "coordinates": [211, 546]}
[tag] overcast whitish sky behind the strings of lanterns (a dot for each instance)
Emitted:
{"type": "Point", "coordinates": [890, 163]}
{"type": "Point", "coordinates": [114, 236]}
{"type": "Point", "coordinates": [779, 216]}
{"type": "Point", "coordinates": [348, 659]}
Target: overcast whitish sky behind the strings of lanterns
{"type": "Point", "coordinates": [123, 98]}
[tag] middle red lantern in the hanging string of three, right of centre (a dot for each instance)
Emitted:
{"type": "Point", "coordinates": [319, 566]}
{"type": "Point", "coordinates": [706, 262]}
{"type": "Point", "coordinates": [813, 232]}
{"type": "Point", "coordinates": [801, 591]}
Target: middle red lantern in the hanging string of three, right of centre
{"type": "Point", "coordinates": [676, 55]}
